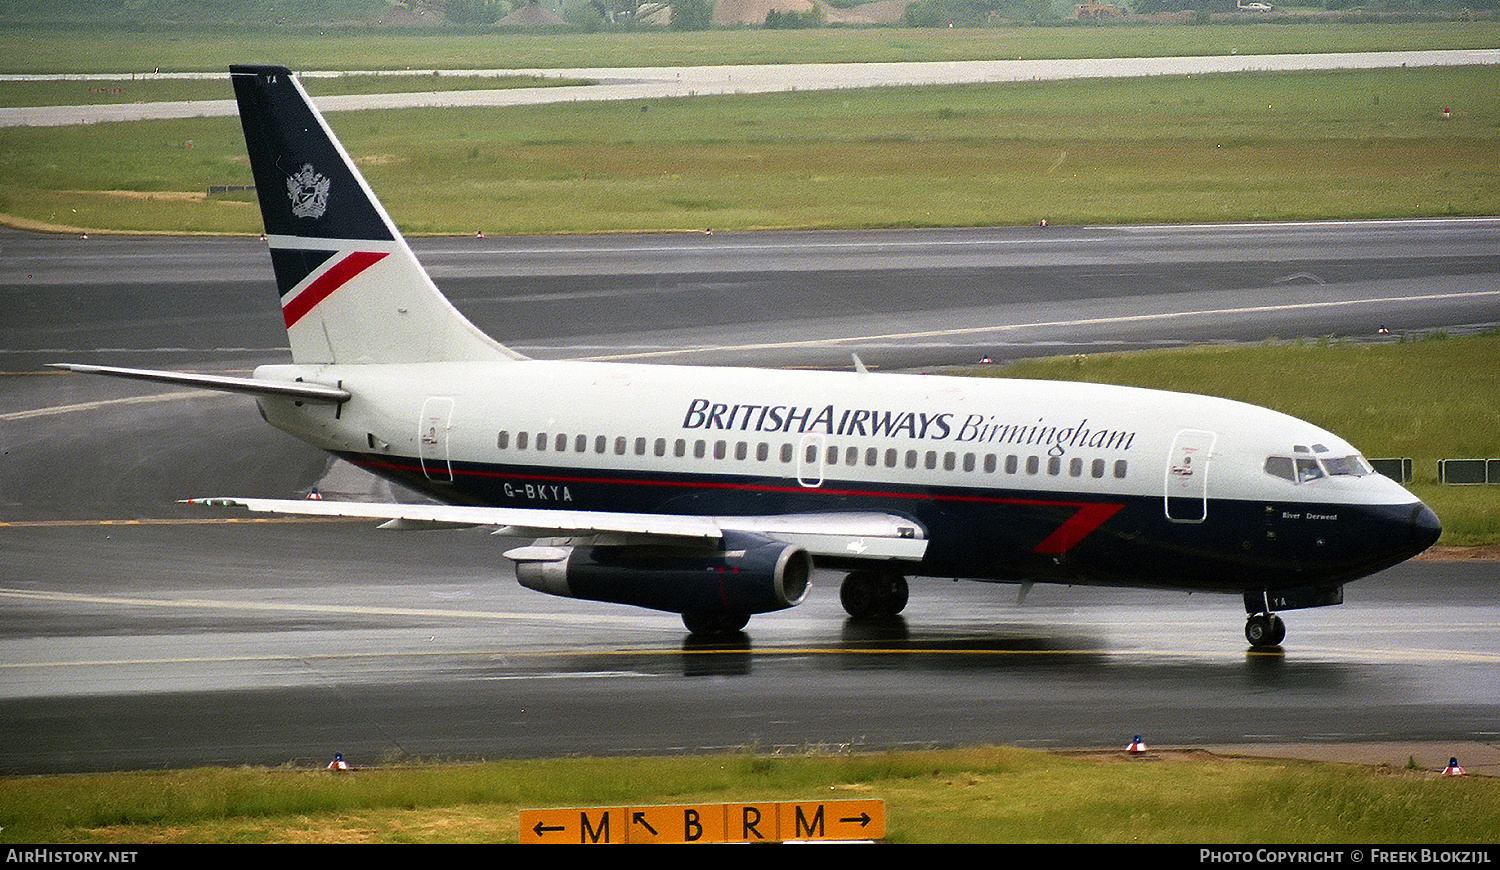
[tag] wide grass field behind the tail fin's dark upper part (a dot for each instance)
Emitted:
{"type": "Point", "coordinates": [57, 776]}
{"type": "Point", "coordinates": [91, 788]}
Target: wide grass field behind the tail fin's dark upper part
{"type": "Point", "coordinates": [1234, 148]}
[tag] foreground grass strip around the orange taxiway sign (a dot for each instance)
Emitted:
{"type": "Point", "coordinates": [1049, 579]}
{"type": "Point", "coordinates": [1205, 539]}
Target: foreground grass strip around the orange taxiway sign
{"type": "Point", "coordinates": [971, 796]}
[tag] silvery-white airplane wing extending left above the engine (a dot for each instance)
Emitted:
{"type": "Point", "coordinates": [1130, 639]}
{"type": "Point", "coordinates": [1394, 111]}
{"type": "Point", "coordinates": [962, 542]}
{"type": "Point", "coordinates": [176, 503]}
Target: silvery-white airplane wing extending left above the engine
{"type": "Point", "coordinates": [860, 536]}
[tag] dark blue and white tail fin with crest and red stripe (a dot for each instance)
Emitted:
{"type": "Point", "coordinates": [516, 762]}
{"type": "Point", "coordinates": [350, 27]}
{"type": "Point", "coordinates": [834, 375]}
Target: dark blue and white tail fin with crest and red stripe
{"type": "Point", "coordinates": [352, 290]}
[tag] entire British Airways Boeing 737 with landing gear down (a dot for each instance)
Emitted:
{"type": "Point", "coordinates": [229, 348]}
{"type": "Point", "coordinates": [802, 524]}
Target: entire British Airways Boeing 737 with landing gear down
{"type": "Point", "coordinates": [715, 493]}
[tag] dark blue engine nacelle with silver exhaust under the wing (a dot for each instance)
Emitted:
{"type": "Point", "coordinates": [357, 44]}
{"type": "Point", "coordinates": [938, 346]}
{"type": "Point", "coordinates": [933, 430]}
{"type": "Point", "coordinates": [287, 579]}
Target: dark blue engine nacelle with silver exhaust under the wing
{"type": "Point", "coordinates": [745, 575]}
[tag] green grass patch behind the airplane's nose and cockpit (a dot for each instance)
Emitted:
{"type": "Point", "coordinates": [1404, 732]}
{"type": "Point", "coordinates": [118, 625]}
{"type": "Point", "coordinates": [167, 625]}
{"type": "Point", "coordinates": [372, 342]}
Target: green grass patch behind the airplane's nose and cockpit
{"type": "Point", "coordinates": [1421, 400]}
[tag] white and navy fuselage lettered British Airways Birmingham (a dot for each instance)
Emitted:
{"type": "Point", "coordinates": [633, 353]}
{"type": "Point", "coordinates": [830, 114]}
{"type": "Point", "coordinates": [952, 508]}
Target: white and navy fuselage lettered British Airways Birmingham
{"type": "Point", "coordinates": [1009, 479]}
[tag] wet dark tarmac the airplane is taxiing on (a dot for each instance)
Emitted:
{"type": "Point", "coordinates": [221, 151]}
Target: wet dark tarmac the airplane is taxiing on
{"type": "Point", "coordinates": [140, 634]}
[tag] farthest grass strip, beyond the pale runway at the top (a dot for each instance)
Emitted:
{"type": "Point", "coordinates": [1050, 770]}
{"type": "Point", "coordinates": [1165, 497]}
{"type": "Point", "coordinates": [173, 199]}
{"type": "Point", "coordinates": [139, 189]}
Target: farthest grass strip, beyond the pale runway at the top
{"type": "Point", "coordinates": [121, 50]}
